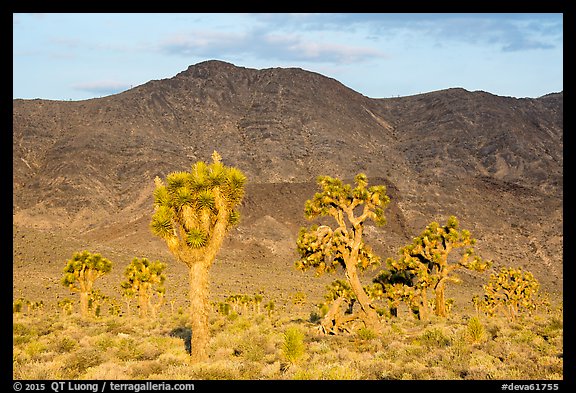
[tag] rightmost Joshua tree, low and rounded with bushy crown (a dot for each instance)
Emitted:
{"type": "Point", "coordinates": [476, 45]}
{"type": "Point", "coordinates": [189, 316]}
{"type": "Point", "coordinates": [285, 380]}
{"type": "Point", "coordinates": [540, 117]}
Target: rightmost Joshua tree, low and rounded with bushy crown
{"type": "Point", "coordinates": [511, 291]}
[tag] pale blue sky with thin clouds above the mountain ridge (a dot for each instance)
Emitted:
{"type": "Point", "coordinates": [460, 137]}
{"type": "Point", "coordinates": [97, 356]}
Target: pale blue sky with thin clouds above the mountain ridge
{"type": "Point", "coordinates": [78, 56]}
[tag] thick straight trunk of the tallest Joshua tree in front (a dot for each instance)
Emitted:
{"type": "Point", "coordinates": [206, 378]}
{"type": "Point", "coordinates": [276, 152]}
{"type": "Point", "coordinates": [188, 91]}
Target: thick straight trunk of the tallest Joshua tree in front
{"type": "Point", "coordinates": [199, 309]}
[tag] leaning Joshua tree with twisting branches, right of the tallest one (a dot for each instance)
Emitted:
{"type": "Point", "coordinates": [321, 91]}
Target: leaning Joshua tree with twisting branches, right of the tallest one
{"type": "Point", "coordinates": [325, 248]}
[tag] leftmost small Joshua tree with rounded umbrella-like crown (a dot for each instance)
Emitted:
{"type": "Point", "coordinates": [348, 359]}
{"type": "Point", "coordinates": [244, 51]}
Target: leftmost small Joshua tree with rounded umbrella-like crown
{"type": "Point", "coordinates": [80, 273]}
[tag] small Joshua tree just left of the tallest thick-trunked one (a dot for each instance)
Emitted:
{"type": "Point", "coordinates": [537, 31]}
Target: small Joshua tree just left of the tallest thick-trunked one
{"type": "Point", "coordinates": [143, 278]}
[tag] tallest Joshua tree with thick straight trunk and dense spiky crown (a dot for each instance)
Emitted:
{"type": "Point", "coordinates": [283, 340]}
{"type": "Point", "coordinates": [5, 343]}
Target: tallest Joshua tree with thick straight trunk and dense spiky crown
{"type": "Point", "coordinates": [193, 212]}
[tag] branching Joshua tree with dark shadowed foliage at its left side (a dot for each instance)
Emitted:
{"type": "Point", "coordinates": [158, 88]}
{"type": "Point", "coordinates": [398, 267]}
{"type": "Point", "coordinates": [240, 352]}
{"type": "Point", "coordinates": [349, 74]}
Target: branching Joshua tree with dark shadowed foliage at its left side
{"type": "Point", "coordinates": [429, 255]}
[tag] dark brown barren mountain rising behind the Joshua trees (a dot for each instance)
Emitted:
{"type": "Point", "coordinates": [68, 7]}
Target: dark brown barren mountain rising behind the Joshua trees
{"type": "Point", "coordinates": [83, 170]}
